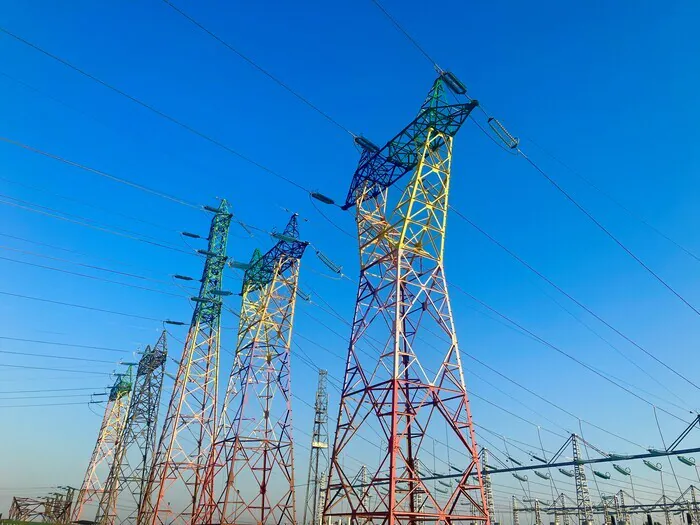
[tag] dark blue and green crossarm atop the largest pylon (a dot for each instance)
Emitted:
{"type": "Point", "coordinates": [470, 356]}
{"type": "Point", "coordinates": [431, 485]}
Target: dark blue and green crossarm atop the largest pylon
{"type": "Point", "coordinates": [380, 168]}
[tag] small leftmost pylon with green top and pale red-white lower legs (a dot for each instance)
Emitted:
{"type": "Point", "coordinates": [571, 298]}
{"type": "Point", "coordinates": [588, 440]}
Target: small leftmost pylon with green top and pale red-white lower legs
{"type": "Point", "coordinates": [106, 449]}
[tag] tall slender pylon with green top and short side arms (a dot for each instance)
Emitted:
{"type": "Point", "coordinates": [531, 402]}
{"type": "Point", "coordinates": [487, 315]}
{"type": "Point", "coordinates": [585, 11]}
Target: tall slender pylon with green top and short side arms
{"type": "Point", "coordinates": [190, 422]}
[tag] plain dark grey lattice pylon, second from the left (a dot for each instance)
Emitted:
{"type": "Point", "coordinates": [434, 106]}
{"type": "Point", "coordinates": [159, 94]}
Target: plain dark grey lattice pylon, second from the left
{"type": "Point", "coordinates": [129, 473]}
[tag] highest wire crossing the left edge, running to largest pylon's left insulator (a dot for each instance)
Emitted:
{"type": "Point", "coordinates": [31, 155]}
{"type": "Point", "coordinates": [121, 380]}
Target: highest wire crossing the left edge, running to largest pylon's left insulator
{"type": "Point", "coordinates": [158, 112]}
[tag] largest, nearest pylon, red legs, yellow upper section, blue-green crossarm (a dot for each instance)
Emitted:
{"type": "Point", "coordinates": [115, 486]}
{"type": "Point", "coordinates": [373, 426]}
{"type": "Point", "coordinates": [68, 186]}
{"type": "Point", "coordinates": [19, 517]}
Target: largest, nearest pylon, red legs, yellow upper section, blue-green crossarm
{"type": "Point", "coordinates": [403, 379]}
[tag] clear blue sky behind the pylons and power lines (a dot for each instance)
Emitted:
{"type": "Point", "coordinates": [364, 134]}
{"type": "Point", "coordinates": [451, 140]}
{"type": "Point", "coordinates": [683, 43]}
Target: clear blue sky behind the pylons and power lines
{"type": "Point", "coordinates": [610, 88]}
